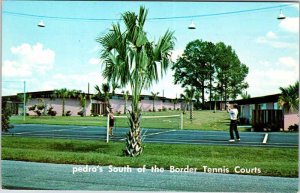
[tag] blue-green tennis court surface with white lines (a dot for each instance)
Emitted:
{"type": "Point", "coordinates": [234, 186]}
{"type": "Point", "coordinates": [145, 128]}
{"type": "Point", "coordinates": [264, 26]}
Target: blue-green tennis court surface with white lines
{"type": "Point", "coordinates": [278, 139]}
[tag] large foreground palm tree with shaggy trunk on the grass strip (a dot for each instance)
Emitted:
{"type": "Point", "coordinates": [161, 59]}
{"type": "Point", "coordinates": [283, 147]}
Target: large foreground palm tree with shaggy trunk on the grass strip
{"type": "Point", "coordinates": [131, 59]}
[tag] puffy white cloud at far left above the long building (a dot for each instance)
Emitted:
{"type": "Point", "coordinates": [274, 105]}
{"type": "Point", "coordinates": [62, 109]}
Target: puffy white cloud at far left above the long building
{"type": "Point", "coordinates": [27, 60]}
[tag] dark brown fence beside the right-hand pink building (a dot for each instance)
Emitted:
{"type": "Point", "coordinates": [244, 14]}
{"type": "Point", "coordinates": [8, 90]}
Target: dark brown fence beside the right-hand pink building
{"type": "Point", "coordinates": [267, 120]}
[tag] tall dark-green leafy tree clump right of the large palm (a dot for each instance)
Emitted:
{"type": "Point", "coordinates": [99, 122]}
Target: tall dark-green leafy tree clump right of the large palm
{"type": "Point", "coordinates": [212, 69]}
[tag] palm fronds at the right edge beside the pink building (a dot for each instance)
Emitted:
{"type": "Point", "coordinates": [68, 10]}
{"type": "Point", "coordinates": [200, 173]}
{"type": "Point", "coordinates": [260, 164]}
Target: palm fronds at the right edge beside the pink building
{"type": "Point", "coordinates": [289, 99]}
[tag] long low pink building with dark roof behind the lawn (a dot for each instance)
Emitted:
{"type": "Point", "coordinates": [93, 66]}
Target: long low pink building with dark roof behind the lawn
{"type": "Point", "coordinates": [93, 105]}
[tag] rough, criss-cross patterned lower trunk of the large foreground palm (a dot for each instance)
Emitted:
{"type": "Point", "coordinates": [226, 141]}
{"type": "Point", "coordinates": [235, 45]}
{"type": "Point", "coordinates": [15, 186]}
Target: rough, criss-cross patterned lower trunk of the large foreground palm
{"type": "Point", "coordinates": [134, 140]}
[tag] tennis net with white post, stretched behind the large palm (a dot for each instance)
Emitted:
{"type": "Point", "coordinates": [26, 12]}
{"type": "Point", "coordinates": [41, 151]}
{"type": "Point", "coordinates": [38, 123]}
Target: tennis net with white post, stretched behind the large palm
{"type": "Point", "coordinates": [148, 124]}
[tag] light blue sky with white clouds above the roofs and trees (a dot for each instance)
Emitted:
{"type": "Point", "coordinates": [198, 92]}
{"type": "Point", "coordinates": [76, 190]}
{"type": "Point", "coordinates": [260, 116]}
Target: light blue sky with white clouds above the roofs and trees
{"type": "Point", "coordinates": [65, 53]}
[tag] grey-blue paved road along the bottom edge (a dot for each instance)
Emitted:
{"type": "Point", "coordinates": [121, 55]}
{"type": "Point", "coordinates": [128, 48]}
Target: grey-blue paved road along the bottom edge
{"type": "Point", "coordinates": [31, 175]}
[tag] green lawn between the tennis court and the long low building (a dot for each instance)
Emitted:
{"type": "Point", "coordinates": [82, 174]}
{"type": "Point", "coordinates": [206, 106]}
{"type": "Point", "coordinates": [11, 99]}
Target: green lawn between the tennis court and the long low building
{"type": "Point", "coordinates": [203, 120]}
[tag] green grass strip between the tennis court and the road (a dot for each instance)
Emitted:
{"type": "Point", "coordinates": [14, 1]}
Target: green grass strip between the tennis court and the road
{"type": "Point", "coordinates": [271, 161]}
